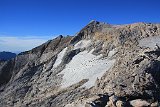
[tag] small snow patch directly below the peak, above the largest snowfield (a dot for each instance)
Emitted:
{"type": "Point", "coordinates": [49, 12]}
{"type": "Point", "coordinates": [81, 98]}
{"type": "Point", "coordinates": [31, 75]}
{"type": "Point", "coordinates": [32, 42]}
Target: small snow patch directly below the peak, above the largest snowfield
{"type": "Point", "coordinates": [82, 44]}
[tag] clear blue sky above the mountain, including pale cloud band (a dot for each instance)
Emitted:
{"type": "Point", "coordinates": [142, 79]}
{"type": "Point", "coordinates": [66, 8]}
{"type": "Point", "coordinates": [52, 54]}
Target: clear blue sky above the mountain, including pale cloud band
{"type": "Point", "coordinates": [41, 20]}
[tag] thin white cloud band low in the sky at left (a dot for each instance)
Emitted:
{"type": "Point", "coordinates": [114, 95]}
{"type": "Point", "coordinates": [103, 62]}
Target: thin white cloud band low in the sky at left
{"type": "Point", "coordinates": [19, 44]}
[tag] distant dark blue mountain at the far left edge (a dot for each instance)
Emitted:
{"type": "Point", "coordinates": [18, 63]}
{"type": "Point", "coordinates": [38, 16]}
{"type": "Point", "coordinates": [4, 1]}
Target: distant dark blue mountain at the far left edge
{"type": "Point", "coordinates": [6, 55]}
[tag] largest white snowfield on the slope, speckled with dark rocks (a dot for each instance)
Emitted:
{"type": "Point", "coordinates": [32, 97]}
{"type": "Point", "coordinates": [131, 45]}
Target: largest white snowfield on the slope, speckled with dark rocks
{"type": "Point", "coordinates": [85, 65]}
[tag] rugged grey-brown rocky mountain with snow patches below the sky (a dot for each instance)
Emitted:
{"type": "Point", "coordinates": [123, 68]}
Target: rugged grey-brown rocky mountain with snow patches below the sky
{"type": "Point", "coordinates": [103, 65]}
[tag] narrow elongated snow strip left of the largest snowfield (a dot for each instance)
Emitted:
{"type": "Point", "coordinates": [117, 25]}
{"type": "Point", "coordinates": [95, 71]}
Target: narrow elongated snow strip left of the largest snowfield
{"type": "Point", "coordinates": [60, 57]}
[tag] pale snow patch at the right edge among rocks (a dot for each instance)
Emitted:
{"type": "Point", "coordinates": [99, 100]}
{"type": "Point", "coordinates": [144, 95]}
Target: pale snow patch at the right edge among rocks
{"type": "Point", "coordinates": [150, 42]}
